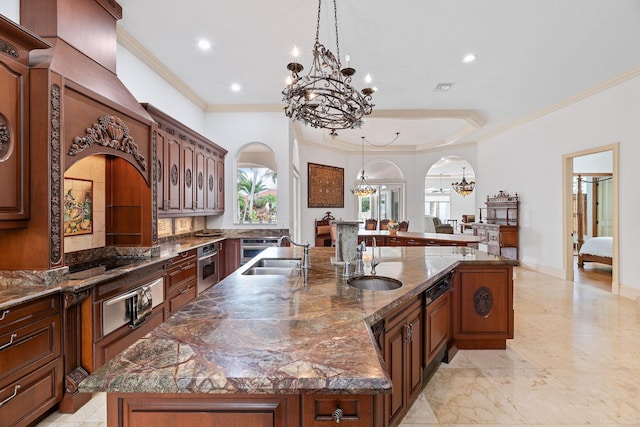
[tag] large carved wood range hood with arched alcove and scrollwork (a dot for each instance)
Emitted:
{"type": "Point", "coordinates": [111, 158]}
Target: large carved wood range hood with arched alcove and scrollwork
{"type": "Point", "coordinates": [78, 107]}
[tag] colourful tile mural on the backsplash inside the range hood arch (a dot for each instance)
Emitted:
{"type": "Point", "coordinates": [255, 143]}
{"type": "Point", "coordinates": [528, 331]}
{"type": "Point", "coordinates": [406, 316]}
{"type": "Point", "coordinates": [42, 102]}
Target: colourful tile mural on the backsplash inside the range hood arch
{"type": "Point", "coordinates": [78, 206]}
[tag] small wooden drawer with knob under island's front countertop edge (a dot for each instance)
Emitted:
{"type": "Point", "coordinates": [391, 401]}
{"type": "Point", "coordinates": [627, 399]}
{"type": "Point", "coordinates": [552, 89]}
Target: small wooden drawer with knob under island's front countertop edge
{"type": "Point", "coordinates": [318, 410]}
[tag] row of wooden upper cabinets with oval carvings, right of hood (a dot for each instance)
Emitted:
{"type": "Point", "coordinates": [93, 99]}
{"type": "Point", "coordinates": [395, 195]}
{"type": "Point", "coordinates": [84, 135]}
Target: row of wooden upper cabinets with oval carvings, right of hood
{"type": "Point", "coordinates": [190, 169]}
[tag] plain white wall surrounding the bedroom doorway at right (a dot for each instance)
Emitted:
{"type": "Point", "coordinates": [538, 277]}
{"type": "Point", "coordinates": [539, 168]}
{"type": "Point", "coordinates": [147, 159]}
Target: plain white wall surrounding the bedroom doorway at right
{"type": "Point", "coordinates": [528, 160]}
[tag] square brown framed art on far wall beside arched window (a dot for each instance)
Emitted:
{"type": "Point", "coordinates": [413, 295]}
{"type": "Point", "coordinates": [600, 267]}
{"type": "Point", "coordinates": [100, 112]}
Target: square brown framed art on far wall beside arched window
{"type": "Point", "coordinates": [325, 186]}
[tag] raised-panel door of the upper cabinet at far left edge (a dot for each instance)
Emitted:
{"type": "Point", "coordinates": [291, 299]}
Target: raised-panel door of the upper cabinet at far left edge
{"type": "Point", "coordinates": [14, 138]}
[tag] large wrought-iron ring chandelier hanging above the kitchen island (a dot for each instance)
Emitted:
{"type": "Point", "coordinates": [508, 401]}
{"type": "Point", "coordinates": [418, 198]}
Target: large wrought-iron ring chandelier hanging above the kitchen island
{"type": "Point", "coordinates": [324, 98]}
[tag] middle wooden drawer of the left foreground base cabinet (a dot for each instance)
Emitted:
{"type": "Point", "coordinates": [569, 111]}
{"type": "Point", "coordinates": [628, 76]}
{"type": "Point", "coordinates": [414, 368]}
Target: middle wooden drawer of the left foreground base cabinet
{"type": "Point", "coordinates": [27, 348]}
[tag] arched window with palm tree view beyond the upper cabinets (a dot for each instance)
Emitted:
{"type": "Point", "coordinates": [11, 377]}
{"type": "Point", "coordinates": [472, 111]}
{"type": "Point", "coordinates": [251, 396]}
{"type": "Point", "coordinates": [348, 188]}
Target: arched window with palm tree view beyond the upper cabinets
{"type": "Point", "coordinates": [257, 189]}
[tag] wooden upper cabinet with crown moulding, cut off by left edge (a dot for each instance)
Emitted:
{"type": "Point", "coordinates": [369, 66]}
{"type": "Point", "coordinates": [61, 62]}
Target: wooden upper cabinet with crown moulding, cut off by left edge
{"type": "Point", "coordinates": [15, 44]}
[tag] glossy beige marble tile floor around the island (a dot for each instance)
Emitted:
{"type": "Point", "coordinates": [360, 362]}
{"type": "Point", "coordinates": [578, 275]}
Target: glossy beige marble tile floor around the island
{"type": "Point", "coordinates": [575, 361]}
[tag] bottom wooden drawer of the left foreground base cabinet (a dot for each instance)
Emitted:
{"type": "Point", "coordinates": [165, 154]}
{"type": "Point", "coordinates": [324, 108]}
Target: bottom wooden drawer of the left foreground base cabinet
{"type": "Point", "coordinates": [33, 395]}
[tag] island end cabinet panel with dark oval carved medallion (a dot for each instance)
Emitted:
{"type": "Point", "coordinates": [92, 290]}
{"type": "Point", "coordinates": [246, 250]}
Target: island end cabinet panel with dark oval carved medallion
{"type": "Point", "coordinates": [483, 306]}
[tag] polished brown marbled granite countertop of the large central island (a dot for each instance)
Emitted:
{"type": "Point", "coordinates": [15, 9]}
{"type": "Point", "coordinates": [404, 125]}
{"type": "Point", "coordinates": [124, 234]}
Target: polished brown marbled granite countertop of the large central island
{"type": "Point", "coordinates": [279, 334]}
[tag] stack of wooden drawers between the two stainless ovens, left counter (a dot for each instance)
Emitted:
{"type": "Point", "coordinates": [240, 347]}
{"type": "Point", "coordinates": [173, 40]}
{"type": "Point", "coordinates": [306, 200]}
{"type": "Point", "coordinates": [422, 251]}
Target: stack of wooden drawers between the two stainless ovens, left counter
{"type": "Point", "coordinates": [181, 281]}
